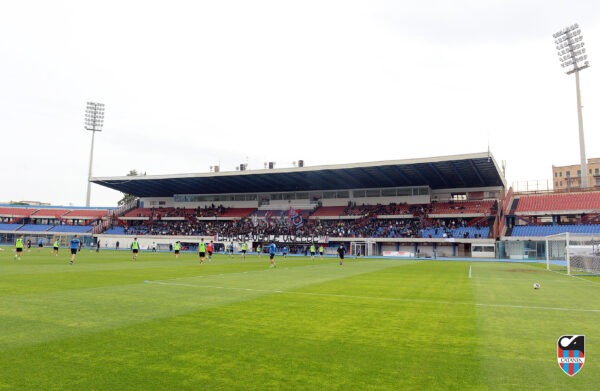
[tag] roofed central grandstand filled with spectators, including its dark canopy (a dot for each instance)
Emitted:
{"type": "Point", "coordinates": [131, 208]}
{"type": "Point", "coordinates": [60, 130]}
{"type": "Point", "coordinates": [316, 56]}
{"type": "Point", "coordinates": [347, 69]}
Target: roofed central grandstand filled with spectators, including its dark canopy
{"type": "Point", "coordinates": [432, 207]}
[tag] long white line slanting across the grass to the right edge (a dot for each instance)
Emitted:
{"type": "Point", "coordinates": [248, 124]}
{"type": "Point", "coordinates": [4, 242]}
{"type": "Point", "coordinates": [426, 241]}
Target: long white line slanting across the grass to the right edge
{"type": "Point", "coordinates": [379, 298]}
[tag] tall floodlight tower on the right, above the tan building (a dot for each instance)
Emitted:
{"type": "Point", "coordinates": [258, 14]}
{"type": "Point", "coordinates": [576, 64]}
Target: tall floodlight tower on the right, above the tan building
{"type": "Point", "coordinates": [571, 54]}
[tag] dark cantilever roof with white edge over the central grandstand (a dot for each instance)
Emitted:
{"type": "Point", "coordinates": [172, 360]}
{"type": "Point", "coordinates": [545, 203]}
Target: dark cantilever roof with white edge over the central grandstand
{"type": "Point", "coordinates": [445, 172]}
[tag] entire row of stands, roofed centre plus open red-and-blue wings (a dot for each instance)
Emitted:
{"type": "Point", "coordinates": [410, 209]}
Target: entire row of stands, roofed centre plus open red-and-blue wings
{"type": "Point", "coordinates": [450, 206]}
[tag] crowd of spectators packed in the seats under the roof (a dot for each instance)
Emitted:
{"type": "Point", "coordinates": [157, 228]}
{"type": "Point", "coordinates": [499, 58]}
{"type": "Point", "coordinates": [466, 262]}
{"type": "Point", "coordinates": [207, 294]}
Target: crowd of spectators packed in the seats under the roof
{"type": "Point", "coordinates": [364, 224]}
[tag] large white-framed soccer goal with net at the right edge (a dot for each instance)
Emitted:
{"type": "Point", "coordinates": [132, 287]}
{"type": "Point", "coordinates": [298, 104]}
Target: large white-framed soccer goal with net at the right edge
{"type": "Point", "coordinates": [579, 253]}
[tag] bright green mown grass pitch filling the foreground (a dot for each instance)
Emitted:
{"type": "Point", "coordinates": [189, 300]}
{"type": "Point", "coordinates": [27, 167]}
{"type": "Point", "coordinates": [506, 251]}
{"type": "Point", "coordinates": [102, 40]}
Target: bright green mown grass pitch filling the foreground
{"type": "Point", "coordinates": [109, 323]}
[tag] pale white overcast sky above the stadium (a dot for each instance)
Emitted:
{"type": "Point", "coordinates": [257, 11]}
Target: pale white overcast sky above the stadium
{"type": "Point", "coordinates": [192, 84]}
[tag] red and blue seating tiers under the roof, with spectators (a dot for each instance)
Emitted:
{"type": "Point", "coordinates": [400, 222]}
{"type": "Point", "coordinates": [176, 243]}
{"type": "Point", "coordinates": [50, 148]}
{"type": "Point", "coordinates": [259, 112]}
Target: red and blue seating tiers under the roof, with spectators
{"type": "Point", "coordinates": [391, 221]}
